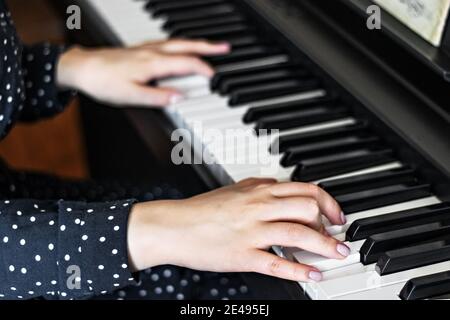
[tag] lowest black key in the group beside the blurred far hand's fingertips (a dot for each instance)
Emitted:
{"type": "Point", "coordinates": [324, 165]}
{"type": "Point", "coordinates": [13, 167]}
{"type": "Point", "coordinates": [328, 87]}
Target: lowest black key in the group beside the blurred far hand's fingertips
{"type": "Point", "coordinates": [273, 90]}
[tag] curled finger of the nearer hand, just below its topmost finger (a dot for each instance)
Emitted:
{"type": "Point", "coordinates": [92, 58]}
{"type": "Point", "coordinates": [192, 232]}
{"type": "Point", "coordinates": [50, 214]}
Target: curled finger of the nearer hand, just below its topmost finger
{"type": "Point", "coordinates": [295, 209]}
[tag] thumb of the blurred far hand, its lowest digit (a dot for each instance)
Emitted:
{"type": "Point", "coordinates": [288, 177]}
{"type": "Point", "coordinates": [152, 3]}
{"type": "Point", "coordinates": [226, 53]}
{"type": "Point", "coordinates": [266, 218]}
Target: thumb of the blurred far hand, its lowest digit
{"type": "Point", "coordinates": [149, 96]}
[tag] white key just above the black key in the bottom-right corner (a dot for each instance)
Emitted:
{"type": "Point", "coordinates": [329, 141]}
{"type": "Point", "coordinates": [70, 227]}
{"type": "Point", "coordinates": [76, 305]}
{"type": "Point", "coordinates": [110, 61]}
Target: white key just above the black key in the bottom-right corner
{"type": "Point", "coordinates": [333, 286]}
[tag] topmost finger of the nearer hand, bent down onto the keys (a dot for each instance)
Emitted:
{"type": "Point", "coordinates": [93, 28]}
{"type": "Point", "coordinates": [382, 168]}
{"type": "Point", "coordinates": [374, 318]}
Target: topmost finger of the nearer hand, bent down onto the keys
{"type": "Point", "coordinates": [327, 204]}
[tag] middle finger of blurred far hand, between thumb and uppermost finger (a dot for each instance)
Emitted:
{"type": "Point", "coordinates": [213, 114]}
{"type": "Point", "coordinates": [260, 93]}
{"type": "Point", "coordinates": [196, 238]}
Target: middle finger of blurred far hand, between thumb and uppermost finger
{"type": "Point", "coordinates": [179, 65]}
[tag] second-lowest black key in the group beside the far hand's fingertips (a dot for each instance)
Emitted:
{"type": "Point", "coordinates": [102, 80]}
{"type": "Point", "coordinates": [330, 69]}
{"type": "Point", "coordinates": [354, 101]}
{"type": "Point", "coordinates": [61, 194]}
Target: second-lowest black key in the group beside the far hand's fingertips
{"type": "Point", "coordinates": [260, 77]}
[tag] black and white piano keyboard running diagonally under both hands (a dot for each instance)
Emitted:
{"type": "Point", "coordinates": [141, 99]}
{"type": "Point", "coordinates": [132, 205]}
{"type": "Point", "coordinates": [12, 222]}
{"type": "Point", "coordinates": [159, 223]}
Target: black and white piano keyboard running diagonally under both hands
{"type": "Point", "coordinates": [397, 229]}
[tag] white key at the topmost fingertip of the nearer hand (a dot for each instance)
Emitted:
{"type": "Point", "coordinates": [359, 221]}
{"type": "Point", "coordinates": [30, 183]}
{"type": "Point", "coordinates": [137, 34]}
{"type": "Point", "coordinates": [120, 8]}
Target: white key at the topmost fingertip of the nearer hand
{"type": "Point", "coordinates": [332, 230]}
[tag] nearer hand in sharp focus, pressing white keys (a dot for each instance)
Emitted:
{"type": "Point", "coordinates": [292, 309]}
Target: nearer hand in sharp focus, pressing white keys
{"type": "Point", "coordinates": [230, 229]}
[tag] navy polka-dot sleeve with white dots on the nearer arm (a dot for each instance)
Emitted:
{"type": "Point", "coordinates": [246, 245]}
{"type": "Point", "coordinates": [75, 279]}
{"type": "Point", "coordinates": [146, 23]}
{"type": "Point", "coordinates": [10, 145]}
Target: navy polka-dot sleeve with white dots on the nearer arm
{"type": "Point", "coordinates": [63, 250]}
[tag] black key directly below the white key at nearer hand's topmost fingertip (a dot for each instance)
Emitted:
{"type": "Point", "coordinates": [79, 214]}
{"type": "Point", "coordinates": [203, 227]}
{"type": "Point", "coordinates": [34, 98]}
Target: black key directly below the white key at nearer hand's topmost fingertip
{"type": "Point", "coordinates": [364, 228]}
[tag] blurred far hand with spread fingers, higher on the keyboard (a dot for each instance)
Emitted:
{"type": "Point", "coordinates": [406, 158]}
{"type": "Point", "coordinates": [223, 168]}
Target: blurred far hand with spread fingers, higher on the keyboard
{"type": "Point", "coordinates": [121, 76]}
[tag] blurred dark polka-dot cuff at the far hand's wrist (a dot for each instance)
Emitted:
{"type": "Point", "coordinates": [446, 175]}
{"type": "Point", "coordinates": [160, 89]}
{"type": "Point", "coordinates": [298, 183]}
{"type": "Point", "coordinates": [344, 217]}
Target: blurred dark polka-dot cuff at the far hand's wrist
{"type": "Point", "coordinates": [43, 98]}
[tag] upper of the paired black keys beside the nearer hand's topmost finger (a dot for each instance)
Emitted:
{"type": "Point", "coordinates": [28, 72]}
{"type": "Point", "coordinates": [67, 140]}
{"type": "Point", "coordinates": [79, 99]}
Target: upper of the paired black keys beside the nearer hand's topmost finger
{"type": "Point", "coordinates": [369, 181]}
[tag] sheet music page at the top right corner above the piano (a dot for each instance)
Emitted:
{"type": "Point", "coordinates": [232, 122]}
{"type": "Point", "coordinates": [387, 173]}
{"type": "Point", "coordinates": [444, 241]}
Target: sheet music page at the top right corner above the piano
{"type": "Point", "coordinates": [426, 17]}
